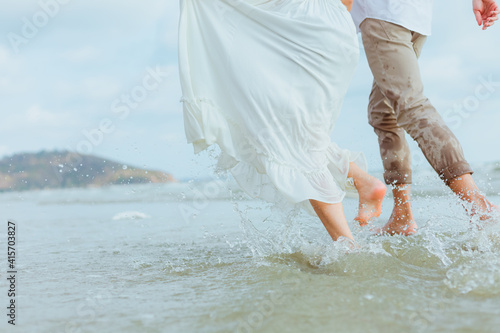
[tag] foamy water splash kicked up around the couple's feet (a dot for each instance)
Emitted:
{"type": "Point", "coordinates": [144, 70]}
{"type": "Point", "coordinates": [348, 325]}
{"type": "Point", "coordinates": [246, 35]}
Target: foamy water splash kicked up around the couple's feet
{"type": "Point", "coordinates": [447, 246]}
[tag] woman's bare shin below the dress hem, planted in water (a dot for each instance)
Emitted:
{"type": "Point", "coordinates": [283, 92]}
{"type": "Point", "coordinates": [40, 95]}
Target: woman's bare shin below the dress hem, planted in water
{"type": "Point", "coordinates": [333, 218]}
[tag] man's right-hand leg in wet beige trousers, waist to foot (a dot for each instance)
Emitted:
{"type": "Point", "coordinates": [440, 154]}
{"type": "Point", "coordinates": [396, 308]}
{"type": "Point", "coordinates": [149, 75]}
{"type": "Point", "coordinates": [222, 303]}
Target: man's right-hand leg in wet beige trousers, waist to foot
{"type": "Point", "coordinates": [392, 52]}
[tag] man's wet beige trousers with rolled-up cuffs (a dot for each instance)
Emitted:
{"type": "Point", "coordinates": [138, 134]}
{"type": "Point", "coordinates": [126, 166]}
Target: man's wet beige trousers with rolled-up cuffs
{"type": "Point", "coordinates": [397, 104]}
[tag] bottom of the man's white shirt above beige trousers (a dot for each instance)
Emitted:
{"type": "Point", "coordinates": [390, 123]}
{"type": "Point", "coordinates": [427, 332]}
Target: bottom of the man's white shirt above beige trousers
{"type": "Point", "coordinates": [414, 15]}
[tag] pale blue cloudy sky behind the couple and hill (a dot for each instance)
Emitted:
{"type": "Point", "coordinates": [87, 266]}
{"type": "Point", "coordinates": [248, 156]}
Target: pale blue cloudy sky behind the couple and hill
{"type": "Point", "coordinates": [69, 68]}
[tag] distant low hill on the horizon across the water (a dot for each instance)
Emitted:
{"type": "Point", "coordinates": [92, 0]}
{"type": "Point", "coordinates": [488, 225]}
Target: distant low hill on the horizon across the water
{"type": "Point", "coordinates": [65, 169]}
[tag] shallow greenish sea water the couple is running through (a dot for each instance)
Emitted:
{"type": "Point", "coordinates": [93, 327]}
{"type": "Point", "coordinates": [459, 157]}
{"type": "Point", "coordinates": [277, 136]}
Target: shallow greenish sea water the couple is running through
{"type": "Point", "coordinates": [200, 256]}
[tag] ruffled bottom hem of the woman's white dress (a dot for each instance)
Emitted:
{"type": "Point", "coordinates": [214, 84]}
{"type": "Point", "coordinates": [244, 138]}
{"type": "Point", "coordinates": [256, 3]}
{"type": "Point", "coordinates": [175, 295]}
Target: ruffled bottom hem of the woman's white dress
{"type": "Point", "coordinates": [265, 177]}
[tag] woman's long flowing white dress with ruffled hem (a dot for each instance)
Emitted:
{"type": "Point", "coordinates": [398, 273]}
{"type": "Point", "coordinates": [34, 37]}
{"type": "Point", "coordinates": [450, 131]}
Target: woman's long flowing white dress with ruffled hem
{"type": "Point", "coordinates": [265, 80]}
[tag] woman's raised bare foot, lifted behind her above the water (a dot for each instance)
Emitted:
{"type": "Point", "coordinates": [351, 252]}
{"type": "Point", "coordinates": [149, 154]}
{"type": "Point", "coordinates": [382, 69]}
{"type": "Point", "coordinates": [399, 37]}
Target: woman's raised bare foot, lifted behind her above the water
{"type": "Point", "coordinates": [371, 194]}
